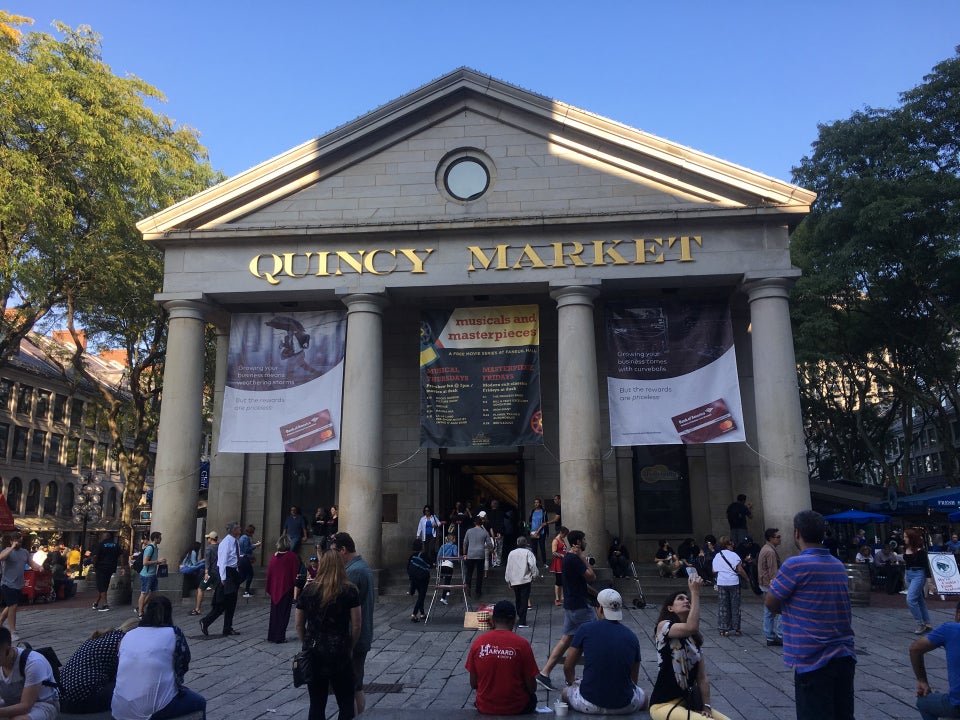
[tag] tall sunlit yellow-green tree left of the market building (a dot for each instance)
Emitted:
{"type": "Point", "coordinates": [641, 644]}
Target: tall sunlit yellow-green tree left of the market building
{"type": "Point", "coordinates": [82, 159]}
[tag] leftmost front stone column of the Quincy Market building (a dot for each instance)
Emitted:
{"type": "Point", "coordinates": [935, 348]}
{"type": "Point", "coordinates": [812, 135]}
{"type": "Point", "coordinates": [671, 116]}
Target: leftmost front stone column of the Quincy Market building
{"type": "Point", "coordinates": [178, 438]}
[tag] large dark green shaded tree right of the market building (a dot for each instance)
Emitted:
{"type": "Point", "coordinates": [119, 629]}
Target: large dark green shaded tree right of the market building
{"type": "Point", "coordinates": [878, 307]}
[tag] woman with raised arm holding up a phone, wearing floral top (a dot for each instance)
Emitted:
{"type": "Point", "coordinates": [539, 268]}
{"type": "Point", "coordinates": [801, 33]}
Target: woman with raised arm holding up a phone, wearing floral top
{"type": "Point", "coordinates": [681, 662]}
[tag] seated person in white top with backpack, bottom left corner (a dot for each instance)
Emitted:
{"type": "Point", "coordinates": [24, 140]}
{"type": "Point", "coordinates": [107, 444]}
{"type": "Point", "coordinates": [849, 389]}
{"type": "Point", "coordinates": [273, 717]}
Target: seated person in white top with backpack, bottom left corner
{"type": "Point", "coordinates": [28, 692]}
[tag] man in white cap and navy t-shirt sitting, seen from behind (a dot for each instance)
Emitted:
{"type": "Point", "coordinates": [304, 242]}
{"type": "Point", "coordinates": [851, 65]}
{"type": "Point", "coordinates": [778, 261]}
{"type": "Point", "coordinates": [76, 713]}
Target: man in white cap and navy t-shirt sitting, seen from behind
{"type": "Point", "coordinates": [611, 664]}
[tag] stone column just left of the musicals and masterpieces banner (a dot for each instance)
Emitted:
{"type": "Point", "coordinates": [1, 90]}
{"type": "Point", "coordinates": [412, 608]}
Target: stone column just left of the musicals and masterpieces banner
{"type": "Point", "coordinates": [361, 430]}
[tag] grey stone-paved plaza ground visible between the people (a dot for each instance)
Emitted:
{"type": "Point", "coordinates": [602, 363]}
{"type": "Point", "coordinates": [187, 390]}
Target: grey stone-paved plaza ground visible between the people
{"type": "Point", "coordinates": [418, 669]}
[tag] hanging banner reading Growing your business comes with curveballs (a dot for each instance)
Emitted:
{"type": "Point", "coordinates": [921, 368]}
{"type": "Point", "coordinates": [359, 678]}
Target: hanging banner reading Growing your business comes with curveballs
{"type": "Point", "coordinates": [672, 373]}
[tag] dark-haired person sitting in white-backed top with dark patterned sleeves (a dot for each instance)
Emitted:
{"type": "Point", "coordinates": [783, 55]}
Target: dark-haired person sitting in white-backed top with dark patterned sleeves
{"type": "Point", "coordinates": [152, 661]}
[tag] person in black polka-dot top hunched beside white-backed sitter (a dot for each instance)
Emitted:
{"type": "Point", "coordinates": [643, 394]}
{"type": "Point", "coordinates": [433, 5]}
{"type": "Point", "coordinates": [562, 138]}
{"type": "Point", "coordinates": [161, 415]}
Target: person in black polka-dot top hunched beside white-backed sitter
{"type": "Point", "coordinates": [88, 678]}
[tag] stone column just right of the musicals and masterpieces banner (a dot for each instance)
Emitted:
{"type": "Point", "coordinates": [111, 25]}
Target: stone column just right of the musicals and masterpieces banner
{"type": "Point", "coordinates": [581, 489]}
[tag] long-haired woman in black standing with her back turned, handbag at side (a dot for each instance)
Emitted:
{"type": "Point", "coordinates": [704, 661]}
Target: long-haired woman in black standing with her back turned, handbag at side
{"type": "Point", "coordinates": [328, 624]}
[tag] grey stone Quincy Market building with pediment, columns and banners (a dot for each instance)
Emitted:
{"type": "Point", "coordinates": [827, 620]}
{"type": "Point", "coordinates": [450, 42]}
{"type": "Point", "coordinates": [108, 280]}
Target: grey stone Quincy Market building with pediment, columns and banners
{"type": "Point", "coordinates": [476, 292]}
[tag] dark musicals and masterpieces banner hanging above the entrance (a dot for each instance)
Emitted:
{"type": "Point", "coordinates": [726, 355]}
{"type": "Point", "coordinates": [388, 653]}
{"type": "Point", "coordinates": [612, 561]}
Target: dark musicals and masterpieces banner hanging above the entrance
{"type": "Point", "coordinates": [480, 377]}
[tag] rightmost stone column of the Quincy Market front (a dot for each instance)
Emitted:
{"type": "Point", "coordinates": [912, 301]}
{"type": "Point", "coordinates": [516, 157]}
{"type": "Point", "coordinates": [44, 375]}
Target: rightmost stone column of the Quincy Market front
{"type": "Point", "coordinates": [784, 479]}
